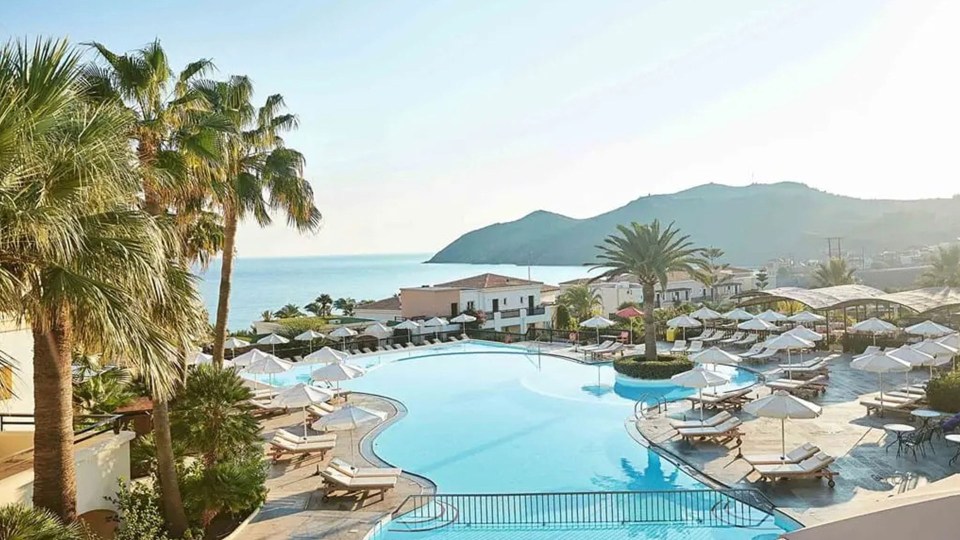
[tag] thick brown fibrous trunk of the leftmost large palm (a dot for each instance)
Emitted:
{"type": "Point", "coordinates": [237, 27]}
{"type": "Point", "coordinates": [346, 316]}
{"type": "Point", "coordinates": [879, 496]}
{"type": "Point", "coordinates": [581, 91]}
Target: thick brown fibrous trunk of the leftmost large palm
{"type": "Point", "coordinates": [55, 474]}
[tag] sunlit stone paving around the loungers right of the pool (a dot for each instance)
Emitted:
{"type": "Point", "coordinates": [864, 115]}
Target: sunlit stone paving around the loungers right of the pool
{"type": "Point", "coordinates": [868, 471]}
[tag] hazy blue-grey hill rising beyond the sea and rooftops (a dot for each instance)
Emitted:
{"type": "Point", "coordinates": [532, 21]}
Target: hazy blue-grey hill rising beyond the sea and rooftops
{"type": "Point", "coordinates": [752, 224]}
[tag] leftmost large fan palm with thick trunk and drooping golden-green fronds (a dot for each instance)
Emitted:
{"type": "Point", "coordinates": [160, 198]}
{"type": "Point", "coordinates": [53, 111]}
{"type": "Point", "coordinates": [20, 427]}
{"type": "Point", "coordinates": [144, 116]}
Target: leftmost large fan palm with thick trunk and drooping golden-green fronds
{"type": "Point", "coordinates": [77, 260]}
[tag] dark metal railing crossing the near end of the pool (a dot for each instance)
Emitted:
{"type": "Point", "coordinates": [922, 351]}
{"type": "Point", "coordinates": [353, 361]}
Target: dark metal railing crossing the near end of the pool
{"type": "Point", "coordinates": [698, 507]}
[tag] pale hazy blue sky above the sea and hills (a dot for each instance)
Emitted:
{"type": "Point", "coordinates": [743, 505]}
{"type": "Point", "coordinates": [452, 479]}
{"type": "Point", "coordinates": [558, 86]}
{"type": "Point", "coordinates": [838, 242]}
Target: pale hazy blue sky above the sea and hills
{"type": "Point", "coordinates": [423, 119]}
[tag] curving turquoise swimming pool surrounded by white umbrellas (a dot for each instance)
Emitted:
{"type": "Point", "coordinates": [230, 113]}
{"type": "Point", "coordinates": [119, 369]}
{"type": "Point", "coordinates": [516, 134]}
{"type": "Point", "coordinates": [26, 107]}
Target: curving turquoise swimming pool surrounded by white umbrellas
{"type": "Point", "coordinates": [486, 418]}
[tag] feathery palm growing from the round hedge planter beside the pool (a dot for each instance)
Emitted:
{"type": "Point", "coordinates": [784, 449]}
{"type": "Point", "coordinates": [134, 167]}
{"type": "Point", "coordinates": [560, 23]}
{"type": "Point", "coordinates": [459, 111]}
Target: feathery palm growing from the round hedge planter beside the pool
{"type": "Point", "coordinates": [648, 254]}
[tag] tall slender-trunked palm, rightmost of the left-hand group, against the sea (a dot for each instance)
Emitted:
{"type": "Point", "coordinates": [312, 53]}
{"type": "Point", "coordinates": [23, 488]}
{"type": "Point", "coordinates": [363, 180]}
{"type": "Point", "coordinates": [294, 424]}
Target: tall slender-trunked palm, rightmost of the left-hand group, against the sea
{"type": "Point", "coordinates": [255, 162]}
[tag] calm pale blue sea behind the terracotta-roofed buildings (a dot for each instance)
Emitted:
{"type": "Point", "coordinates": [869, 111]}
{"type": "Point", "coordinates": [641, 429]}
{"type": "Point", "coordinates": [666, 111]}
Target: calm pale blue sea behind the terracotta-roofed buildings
{"type": "Point", "coordinates": [269, 283]}
